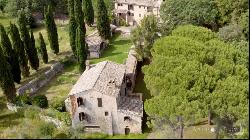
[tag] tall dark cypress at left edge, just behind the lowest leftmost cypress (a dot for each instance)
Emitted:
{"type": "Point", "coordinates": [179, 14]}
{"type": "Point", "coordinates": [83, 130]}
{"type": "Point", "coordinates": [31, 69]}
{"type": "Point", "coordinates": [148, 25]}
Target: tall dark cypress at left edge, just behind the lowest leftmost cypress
{"type": "Point", "coordinates": [10, 55]}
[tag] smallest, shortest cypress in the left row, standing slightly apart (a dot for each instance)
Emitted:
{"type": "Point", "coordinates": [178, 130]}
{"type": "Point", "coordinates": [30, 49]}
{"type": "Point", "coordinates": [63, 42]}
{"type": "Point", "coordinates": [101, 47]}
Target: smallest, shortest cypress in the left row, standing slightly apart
{"type": "Point", "coordinates": [42, 49]}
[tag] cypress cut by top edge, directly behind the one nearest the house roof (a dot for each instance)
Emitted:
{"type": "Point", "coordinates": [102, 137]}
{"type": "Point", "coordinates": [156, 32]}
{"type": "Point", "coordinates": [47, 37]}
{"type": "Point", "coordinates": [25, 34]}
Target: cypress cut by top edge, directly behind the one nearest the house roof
{"type": "Point", "coordinates": [79, 16]}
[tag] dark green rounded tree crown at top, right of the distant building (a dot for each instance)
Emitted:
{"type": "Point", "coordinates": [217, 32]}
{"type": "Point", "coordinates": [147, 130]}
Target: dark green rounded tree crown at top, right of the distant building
{"type": "Point", "coordinates": [177, 12]}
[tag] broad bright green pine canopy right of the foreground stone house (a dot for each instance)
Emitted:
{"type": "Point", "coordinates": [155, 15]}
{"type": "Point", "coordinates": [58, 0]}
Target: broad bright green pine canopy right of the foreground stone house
{"type": "Point", "coordinates": [189, 76]}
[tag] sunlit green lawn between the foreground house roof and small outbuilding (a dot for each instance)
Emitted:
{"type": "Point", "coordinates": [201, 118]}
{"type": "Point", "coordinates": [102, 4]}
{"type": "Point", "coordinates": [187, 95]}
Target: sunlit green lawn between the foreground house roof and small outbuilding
{"type": "Point", "coordinates": [117, 51]}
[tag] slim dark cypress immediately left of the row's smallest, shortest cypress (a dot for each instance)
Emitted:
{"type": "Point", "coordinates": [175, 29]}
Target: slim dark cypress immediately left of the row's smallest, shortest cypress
{"type": "Point", "coordinates": [34, 61]}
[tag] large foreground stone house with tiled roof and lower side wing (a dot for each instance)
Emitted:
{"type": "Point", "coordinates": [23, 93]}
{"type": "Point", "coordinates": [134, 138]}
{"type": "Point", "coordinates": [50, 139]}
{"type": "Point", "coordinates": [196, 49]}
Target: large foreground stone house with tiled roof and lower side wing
{"type": "Point", "coordinates": [100, 103]}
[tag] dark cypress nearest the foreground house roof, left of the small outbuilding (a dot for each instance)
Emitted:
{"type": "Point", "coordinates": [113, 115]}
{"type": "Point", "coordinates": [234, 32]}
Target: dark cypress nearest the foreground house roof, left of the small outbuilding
{"type": "Point", "coordinates": [81, 49]}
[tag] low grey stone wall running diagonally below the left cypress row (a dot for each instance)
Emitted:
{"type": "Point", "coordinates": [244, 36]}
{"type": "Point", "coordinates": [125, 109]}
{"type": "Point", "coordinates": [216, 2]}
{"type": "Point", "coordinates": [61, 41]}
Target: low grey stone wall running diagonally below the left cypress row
{"type": "Point", "coordinates": [34, 85]}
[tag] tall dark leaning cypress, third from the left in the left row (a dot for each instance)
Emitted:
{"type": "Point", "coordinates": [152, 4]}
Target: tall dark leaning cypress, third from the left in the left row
{"type": "Point", "coordinates": [18, 47]}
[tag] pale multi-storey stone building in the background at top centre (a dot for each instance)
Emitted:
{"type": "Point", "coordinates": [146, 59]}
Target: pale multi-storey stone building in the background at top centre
{"type": "Point", "coordinates": [133, 11]}
